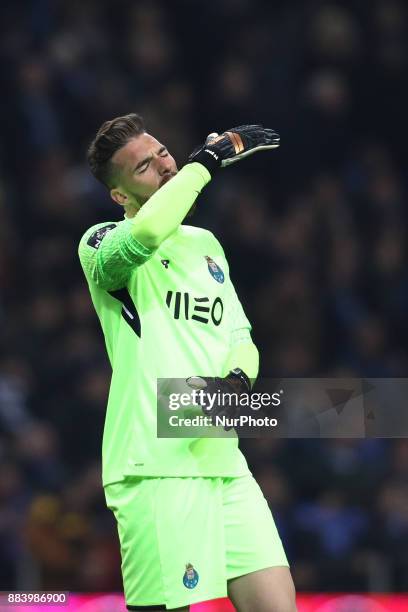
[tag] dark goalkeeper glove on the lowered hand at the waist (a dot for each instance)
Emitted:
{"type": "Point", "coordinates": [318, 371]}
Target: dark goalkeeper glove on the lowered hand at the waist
{"type": "Point", "coordinates": [213, 400]}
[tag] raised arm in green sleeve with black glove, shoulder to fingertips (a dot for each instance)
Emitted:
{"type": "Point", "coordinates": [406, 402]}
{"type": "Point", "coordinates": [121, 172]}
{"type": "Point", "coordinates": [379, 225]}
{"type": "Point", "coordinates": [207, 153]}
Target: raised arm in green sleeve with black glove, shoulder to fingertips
{"type": "Point", "coordinates": [110, 252]}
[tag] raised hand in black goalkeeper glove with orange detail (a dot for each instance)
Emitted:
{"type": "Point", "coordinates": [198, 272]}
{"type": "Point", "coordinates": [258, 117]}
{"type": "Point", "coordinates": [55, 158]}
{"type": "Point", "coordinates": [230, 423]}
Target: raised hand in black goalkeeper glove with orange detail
{"type": "Point", "coordinates": [233, 145]}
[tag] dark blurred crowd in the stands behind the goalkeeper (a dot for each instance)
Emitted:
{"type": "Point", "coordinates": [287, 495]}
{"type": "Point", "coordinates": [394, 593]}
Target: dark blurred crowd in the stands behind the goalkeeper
{"type": "Point", "coordinates": [315, 234]}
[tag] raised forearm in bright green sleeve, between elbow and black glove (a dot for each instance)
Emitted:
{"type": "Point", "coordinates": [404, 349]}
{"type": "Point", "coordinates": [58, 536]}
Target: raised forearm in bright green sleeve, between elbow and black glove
{"type": "Point", "coordinates": [167, 208]}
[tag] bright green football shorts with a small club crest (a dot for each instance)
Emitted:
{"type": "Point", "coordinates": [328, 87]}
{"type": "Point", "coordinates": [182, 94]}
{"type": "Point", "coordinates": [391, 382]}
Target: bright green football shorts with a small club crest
{"type": "Point", "coordinates": [182, 539]}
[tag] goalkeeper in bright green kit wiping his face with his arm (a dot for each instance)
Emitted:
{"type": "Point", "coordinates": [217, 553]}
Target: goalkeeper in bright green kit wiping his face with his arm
{"type": "Point", "coordinates": [193, 524]}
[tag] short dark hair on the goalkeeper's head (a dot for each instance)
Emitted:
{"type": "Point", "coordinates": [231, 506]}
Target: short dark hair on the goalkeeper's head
{"type": "Point", "coordinates": [112, 136]}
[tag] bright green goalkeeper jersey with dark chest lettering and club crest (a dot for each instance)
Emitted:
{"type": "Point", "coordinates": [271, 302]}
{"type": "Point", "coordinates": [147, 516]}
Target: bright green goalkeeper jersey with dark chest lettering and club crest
{"type": "Point", "coordinates": [165, 313]}
